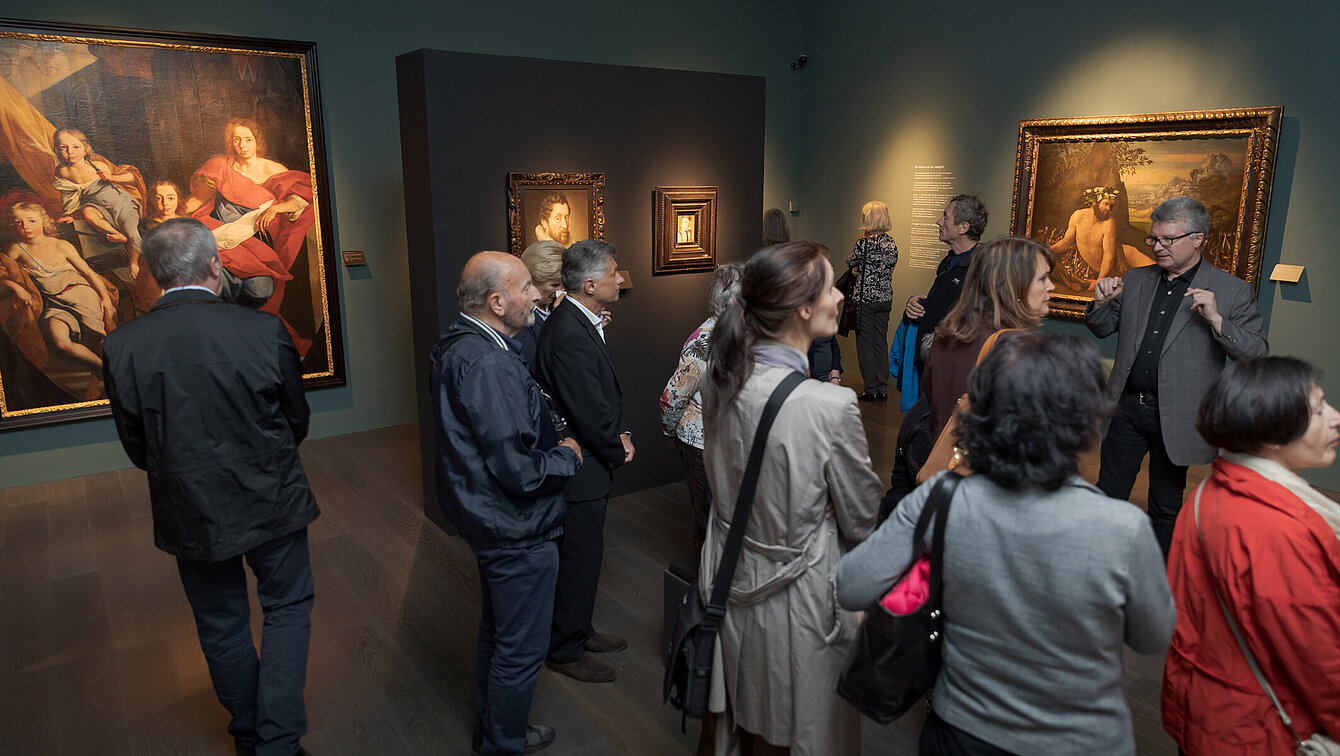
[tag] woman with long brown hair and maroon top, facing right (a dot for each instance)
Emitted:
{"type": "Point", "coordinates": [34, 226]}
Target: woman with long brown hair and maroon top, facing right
{"type": "Point", "coordinates": [1008, 286]}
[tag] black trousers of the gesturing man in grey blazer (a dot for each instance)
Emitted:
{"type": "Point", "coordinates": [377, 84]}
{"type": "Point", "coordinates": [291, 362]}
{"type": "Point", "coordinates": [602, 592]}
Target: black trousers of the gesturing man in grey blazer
{"type": "Point", "coordinates": [1136, 431]}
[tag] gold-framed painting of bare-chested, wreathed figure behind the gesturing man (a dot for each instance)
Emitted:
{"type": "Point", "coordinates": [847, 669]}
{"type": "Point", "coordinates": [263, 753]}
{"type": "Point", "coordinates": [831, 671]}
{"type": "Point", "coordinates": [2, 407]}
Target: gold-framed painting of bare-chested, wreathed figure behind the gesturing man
{"type": "Point", "coordinates": [1086, 188]}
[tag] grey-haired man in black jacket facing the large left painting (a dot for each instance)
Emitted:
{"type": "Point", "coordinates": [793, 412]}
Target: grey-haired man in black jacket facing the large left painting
{"type": "Point", "coordinates": [208, 400]}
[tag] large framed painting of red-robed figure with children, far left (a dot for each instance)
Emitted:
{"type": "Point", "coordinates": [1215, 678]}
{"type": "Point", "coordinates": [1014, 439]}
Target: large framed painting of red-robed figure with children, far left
{"type": "Point", "coordinates": [109, 132]}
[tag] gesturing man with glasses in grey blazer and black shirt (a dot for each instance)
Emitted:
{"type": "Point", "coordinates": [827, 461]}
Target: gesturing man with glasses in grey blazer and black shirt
{"type": "Point", "coordinates": [1179, 321]}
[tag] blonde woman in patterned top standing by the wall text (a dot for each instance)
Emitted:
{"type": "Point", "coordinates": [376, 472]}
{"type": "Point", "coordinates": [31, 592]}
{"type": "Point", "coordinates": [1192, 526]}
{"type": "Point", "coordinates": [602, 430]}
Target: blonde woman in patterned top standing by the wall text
{"type": "Point", "coordinates": [873, 262]}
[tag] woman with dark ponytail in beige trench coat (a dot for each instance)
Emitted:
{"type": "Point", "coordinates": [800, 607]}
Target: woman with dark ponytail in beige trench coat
{"type": "Point", "coordinates": [785, 637]}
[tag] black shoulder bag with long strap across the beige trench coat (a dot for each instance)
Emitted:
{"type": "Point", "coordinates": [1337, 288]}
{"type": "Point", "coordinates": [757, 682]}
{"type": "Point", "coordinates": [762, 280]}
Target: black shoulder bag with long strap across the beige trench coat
{"type": "Point", "coordinates": [688, 680]}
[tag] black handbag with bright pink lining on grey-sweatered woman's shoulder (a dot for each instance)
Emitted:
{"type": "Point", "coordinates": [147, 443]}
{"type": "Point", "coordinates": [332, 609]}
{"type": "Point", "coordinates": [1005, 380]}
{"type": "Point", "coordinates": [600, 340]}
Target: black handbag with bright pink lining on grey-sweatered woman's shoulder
{"type": "Point", "coordinates": [897, 657]}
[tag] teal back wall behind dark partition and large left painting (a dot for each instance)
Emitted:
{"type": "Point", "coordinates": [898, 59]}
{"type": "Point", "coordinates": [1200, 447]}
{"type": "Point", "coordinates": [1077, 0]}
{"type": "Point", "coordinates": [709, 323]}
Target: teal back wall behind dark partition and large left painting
{"type": "Point", "coordinates": [357, 48]}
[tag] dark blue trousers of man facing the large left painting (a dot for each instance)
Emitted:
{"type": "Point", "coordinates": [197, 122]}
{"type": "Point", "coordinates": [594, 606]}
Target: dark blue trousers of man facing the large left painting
{"type": "Point", "coordinates": [263, 695]}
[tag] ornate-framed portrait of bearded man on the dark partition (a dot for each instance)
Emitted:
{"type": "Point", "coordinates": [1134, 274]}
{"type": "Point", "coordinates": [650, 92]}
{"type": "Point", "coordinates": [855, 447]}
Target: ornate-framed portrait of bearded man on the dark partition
{"type": "Point", "coordinates": [558, 207]}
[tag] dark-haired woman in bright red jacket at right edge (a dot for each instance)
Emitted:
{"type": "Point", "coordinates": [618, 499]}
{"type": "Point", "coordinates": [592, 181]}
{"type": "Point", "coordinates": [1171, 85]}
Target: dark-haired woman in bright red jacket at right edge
{"type": "Point", "coordinates": [1270, 546]}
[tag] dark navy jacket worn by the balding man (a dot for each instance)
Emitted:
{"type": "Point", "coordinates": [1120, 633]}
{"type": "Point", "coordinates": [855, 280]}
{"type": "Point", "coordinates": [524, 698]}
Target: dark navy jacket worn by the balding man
{"type": "Point", "coordinates": [500, 471]}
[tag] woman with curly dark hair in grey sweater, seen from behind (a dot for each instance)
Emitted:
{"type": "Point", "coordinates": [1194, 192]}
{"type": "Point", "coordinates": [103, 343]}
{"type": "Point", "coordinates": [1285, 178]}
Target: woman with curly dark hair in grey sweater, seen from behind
{"type": "Point", "coordinates": [1046, 578]}
